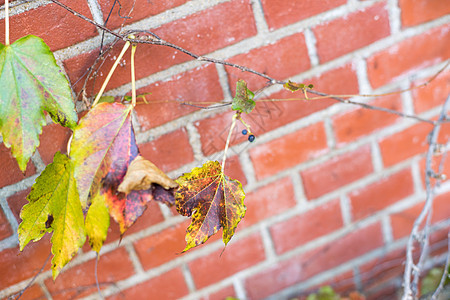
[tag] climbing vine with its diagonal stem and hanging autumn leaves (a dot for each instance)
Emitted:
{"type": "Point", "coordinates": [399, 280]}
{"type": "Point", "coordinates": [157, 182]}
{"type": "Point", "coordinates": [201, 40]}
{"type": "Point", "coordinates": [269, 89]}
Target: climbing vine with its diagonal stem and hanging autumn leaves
{"type": "Point", "coordinates": [103, 174]}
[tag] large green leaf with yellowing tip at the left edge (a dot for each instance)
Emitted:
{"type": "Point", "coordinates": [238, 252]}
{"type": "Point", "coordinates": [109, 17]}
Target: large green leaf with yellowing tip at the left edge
{"type": "Point", "coordinates": [31, 82]}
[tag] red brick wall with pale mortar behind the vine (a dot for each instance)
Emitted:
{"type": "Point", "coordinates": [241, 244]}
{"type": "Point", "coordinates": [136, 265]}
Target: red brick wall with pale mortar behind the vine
{"type": "Point", "coordinates": [332, 189]}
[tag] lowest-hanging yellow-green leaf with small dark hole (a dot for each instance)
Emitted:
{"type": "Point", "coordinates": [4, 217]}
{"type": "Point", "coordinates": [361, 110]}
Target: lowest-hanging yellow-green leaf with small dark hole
{"type": "Point", "coordinates": [54, 205]}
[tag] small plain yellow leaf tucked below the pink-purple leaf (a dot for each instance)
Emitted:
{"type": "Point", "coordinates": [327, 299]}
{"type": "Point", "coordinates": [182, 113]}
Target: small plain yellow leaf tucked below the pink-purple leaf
{"type": "Point", "coordinates": [97, 223]}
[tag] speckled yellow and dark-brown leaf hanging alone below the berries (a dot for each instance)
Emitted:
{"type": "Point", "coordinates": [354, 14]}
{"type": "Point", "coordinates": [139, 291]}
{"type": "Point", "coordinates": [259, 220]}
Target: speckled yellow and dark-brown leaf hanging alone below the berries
{"type": "Point", "coordinates": [212, 200]}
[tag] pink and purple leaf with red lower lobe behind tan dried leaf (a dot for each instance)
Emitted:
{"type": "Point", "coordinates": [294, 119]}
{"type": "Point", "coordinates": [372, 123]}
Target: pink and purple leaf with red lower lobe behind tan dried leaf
{"type": "Point", "coordinates": [103, 146]}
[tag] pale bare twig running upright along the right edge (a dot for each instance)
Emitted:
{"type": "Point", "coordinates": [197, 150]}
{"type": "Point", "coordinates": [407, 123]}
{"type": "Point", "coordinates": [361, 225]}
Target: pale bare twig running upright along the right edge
{"type": "Point", "coordinates": [411, 269]}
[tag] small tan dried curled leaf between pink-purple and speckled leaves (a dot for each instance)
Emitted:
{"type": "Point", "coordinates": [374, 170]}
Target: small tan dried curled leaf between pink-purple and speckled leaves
{"type": "Point", "coordinates": [141, 174]}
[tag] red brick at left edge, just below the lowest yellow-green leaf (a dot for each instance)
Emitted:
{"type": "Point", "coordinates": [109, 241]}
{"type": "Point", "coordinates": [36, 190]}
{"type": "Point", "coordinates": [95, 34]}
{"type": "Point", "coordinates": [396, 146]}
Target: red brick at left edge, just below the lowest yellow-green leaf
{"type": "Point", "coordinates": [25, 264]}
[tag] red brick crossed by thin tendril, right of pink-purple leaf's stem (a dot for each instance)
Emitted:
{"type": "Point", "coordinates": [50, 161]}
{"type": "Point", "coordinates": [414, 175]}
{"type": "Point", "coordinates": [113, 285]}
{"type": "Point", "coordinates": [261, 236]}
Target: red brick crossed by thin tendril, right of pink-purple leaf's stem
{"type": "Point", "coordinates": [198, 85]}
